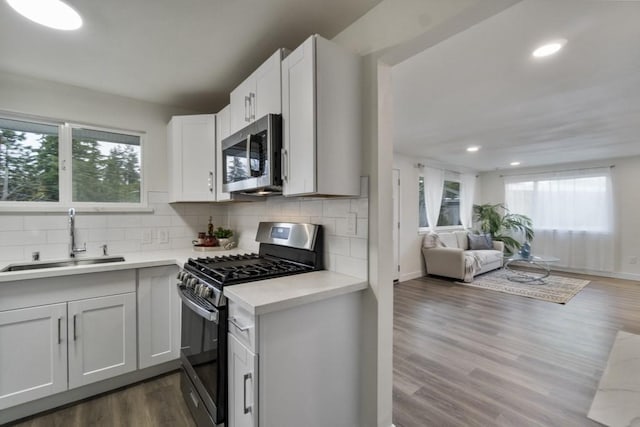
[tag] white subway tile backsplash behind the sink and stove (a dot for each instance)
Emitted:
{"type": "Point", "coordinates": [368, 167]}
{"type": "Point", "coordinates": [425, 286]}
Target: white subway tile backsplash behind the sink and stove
{"type": "Point", "coordinates": [20, 235]}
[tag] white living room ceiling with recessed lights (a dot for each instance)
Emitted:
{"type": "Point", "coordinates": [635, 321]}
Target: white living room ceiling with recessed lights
{"type": "Point", "coordinates": [482, 87]}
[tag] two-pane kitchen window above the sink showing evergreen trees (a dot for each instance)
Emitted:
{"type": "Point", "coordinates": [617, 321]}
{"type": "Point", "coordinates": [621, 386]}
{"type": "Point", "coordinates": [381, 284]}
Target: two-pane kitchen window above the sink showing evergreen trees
{"type": "Point", "coordinates": [56, 164]}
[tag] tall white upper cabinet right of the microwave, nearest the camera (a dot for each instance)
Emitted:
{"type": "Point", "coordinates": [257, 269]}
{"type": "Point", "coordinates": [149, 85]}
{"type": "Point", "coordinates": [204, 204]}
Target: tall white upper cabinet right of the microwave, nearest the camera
{"type": "Point", "coordinates": [321, 116]}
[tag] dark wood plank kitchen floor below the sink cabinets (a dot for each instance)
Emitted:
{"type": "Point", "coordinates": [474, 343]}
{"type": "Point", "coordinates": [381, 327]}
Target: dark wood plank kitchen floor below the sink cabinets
{"type": "Point", "coordinates": [154, 403]}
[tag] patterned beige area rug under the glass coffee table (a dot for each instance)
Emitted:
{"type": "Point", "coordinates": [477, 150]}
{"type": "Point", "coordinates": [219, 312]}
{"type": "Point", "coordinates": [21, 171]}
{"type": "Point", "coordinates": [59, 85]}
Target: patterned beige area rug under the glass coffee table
{"type": "Point", "coordinates": [554, 289]}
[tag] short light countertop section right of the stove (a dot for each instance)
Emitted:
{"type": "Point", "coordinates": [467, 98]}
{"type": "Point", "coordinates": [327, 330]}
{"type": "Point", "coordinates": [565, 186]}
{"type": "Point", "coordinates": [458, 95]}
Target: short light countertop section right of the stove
{"type": "Point", "coordinates": [266, 296]}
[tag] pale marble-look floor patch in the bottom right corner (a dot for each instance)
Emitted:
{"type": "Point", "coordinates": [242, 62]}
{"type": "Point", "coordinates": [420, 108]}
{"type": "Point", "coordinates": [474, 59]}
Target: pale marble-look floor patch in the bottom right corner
{"type": "Point", "coordinates": [617, 401]}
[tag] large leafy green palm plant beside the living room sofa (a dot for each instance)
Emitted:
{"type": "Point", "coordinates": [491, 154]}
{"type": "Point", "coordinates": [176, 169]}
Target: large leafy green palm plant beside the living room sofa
{"type": "Point", "coordinates": [502, 224]}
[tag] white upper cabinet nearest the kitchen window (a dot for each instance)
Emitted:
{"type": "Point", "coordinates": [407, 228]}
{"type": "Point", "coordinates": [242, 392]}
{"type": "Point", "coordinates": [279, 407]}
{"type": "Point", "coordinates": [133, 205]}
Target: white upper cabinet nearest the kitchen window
{"type": "Point", "coordinates": [192, 142]}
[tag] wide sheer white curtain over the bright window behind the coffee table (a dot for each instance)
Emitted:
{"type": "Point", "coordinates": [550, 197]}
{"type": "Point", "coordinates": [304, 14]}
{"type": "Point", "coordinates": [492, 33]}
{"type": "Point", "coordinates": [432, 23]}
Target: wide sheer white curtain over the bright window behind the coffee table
{"type": "Point", "coordinates": [572, 214]}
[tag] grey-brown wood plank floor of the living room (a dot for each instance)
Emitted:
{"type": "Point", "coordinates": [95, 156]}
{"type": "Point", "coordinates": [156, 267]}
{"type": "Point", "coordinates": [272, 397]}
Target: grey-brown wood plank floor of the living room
{"type": "Point", "coordinates": [473, 357]}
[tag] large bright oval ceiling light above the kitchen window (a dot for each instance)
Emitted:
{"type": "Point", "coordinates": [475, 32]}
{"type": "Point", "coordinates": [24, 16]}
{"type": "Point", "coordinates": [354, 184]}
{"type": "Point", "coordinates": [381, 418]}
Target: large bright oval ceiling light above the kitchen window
{"type": "Point", "coordinates": [50, 13]}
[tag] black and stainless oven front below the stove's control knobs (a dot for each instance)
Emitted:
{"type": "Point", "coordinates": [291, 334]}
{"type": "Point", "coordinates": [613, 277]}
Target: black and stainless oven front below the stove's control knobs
{"type": "Point", "coordinates": [204, 360]}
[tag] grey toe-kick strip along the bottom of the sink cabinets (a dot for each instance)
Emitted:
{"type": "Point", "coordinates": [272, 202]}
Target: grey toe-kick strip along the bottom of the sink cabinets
{"type": "Point", "coordinates": [70, 396]}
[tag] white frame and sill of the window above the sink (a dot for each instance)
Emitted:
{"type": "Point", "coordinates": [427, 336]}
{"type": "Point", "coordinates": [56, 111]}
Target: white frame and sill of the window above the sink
{"type": "Point", "coordinates": [65, 172]}
